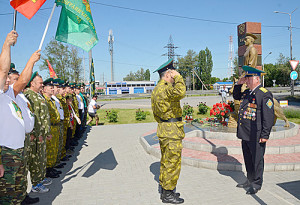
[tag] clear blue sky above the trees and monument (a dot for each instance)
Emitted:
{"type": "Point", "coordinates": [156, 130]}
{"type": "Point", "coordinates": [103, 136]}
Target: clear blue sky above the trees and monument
{"type": "Point", "coordinates": [140, 37]}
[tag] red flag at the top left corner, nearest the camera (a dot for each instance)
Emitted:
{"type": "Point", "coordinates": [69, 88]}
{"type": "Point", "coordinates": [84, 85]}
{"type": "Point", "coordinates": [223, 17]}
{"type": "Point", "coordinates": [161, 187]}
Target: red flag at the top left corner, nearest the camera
{"type": "Point", "coordinates": [27, 7]}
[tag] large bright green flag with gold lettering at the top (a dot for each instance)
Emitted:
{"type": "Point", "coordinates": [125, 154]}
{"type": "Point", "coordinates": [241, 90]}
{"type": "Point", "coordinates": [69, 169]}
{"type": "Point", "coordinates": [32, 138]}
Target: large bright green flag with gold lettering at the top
{"type": "Point", "coordinates": [76, 24]}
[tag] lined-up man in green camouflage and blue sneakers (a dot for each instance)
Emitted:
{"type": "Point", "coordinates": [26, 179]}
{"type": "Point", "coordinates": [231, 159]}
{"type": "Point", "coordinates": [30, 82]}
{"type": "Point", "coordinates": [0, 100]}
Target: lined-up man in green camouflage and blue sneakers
{"type": "Point", "coordinates": [40, 133]}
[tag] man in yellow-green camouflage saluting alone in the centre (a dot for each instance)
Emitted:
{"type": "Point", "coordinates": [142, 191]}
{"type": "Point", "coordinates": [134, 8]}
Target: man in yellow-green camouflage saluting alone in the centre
{"type": "Point", "coordinates": [165, 100]}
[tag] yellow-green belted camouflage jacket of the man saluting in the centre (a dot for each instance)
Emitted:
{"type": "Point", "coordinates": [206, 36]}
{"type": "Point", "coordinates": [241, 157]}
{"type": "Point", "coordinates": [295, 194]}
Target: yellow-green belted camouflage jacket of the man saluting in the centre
{"type": "Point", "coordinates": [165, 101]}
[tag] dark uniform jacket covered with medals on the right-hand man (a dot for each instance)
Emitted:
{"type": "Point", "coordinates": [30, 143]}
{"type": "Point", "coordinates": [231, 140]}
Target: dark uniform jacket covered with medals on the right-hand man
{"type": "Point", "coordinates": [256, 113]}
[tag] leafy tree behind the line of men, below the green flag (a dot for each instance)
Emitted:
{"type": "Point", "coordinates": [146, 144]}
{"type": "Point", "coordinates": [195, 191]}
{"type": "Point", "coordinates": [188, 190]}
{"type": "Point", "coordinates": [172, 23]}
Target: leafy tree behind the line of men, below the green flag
{"type": "Point", "coordinates": [64, 60]}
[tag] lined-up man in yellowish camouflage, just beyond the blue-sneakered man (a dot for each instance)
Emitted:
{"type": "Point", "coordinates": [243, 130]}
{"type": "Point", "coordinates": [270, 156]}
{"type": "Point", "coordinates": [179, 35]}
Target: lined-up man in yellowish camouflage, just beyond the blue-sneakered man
{"type": "Point", "coordinates": [52, 144]}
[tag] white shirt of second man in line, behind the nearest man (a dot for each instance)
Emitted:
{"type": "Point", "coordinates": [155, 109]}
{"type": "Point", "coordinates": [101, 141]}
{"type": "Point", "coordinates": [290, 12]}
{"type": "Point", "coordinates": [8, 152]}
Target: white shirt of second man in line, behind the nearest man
{"type": "Point", "coordinates": [24, 104]}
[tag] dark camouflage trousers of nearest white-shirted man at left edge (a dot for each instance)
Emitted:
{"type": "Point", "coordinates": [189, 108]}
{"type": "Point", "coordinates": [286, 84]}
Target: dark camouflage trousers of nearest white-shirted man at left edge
{"type": "Point", "coordinates": [13, 182]}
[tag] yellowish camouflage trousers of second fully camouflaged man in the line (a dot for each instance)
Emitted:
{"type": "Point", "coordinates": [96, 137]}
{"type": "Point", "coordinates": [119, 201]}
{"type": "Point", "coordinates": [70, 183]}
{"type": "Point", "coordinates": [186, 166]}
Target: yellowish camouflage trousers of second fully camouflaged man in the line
{"type": "Point", "coordinates": [52, 146]}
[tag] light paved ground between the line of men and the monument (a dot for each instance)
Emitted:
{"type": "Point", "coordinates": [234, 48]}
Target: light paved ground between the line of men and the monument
{"type": "Point", "coordinates": [113, 168]}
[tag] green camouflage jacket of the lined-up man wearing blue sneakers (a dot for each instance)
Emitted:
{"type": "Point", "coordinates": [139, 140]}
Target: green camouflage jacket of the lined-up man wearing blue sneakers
{"type": "Point", "coordinates": [41, 113]}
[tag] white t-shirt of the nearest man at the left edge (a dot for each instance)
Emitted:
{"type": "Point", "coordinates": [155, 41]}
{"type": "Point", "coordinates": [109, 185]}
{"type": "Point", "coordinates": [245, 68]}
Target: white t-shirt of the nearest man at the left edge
{"type": "Point", "coordinates": [12, 126]}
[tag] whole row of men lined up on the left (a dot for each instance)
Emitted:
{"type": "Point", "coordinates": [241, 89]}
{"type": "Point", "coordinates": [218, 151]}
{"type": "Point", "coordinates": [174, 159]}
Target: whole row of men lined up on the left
{"type": "Point", "coordinates": [50, 124]}
